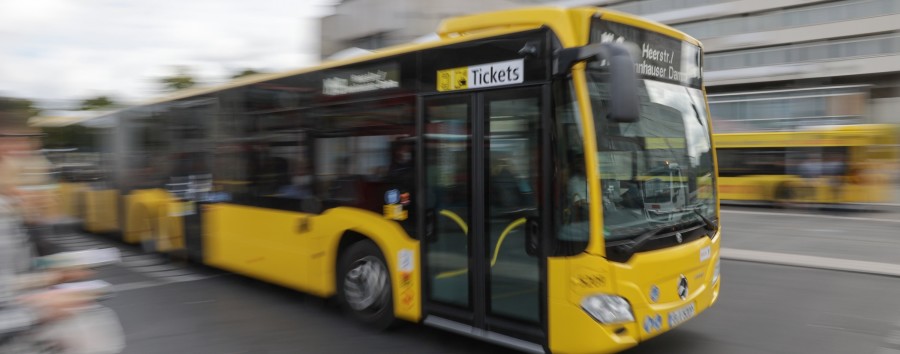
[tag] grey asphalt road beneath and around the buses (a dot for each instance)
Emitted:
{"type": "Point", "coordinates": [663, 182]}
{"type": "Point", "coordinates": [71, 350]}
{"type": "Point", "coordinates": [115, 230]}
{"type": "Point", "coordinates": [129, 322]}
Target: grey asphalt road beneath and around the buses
{"type": "Point", "coordinates": [167, 307]}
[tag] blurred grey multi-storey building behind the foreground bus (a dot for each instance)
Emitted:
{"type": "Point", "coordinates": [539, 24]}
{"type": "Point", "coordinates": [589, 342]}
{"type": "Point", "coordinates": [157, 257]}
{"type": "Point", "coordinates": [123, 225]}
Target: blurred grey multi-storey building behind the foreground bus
{"type": "Point", "coordinates": [769, 64]}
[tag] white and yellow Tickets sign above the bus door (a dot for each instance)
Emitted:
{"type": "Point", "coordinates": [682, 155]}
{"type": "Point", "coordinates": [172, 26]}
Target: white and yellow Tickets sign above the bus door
{"type": "Point", "coordinates": [486, 75]}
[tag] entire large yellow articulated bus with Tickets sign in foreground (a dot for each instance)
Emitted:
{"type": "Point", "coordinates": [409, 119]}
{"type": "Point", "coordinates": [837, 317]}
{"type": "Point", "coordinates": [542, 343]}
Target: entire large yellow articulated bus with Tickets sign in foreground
{"type": "Point", "coordinates": [541, 178]}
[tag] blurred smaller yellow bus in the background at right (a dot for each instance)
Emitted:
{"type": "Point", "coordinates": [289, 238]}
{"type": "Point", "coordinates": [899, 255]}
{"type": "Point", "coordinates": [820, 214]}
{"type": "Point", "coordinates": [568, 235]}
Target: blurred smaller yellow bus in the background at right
{"type": "Point", "coordinates": [818, 165]}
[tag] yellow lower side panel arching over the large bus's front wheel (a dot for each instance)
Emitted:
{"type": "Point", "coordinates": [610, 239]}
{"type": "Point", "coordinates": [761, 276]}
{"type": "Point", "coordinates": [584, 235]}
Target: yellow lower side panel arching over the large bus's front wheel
{"type": "Point", "coordinates": [300, 250]}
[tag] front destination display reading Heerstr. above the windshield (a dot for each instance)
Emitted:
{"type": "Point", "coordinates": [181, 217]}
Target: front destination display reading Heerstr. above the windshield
{"type": "Point", "coordinates": [662, 58]}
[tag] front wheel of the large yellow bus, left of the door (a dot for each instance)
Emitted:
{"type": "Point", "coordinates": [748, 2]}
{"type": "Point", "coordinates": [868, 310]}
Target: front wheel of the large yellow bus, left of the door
{"type": "Point", "coordinates": [364, 285]}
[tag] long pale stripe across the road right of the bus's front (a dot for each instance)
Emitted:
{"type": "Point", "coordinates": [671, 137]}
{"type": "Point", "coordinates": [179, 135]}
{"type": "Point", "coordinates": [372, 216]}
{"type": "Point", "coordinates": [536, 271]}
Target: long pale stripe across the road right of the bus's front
{"type": "Point", "coordinates": [846, 265]}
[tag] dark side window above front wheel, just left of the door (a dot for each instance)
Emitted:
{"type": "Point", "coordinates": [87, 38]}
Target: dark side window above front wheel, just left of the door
{"type": "Point", "coordinates": [362, 151]}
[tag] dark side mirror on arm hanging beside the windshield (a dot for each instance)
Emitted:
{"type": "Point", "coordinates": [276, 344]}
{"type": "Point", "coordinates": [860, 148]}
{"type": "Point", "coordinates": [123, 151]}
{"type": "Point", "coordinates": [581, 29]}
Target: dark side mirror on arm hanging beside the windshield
{"type": "Point", "coordinates": [623, 91]}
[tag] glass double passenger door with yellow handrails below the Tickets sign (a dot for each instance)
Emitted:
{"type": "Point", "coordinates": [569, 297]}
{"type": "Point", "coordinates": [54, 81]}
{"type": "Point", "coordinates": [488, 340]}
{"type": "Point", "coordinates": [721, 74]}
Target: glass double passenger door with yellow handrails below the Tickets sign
{"type": "Point", "coordinates": [482, 167]}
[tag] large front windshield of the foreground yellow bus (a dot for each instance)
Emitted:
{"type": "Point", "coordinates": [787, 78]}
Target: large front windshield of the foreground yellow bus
{"type": "Point", "coordinates": [657, 171]}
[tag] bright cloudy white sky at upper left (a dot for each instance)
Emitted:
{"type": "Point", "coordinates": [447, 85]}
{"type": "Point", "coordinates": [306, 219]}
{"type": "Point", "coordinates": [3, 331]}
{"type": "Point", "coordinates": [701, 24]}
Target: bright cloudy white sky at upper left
{"type": "Point", "coordinates": [59, 52]}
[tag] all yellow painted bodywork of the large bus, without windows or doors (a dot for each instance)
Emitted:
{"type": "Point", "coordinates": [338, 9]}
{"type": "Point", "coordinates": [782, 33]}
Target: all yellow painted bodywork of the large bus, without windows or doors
{"type": "Point", "coordinates": [301, 250]}
